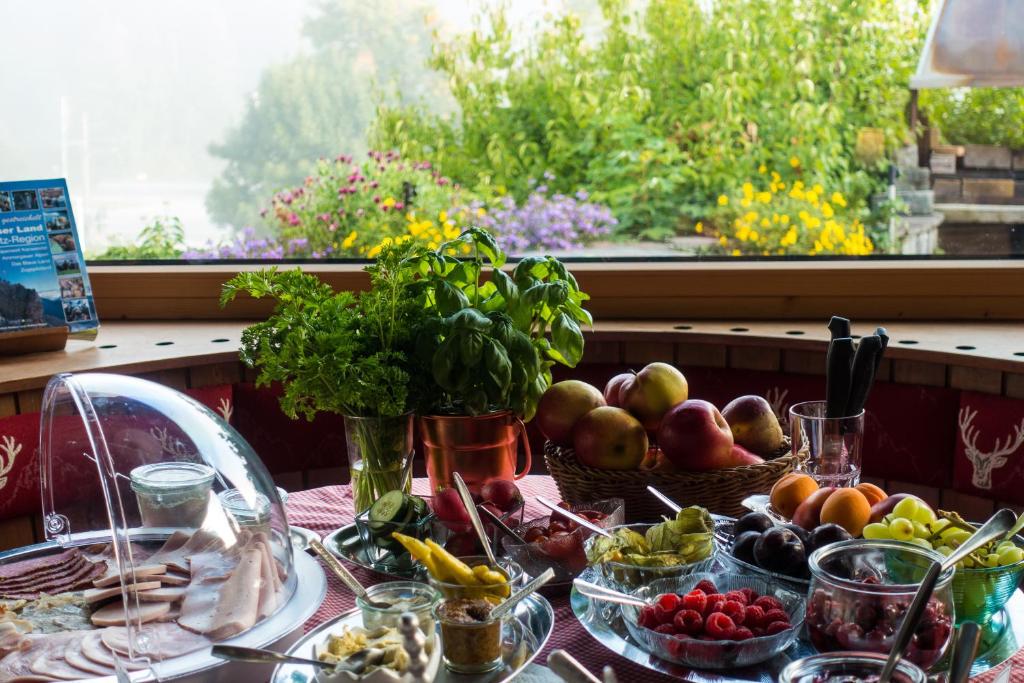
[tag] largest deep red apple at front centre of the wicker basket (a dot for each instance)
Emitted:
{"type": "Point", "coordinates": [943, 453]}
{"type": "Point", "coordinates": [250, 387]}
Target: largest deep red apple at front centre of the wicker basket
{"type": "Point", "coordinates": [696, 438]}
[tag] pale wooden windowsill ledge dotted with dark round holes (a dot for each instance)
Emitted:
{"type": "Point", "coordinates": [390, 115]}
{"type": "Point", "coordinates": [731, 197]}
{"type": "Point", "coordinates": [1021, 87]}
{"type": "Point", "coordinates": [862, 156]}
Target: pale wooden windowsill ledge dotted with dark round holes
{"type": "Point", "coordinates": [141, 347]}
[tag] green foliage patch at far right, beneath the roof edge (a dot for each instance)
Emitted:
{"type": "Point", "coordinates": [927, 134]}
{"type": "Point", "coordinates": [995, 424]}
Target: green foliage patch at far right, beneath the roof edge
{"type": "Point", "coordinates": [977, 116]}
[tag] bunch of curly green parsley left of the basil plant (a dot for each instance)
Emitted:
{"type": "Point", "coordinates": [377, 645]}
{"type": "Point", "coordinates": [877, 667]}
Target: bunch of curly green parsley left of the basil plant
{"type": "Point", "coordinates": [337, 353]}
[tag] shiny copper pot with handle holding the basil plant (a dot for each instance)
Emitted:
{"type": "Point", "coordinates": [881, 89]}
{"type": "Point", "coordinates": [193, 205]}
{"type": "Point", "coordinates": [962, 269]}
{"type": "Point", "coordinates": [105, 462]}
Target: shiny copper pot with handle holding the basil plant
{"type": "Point", "coordinates": [480, 448]}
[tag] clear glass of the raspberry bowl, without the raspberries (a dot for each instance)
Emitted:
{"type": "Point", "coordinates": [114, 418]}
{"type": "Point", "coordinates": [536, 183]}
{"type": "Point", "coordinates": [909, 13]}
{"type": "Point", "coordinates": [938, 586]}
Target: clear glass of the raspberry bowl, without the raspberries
{"type": "Point", "coordinates": [715, 654]}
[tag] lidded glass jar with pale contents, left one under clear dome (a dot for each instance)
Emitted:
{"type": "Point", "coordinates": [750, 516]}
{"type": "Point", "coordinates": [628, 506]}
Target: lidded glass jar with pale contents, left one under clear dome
{"type": "Point", "coordinates": [173, 495]}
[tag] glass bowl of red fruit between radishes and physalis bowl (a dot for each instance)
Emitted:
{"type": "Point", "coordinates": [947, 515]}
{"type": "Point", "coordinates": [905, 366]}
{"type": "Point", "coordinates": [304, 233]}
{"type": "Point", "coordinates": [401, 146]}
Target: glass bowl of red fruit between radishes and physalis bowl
{"type": "Point", "coordinates": [558, 542]}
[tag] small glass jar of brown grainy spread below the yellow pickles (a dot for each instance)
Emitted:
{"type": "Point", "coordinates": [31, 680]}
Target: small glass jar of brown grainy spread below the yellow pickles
{"type": "Point", "coordinates": [472, 643]}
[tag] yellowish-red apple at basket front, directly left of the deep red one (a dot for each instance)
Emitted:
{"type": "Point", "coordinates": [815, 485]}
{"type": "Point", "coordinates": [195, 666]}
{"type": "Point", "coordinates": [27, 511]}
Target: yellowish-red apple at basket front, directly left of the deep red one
{"type": "Point", "coordinates": [610, 439]}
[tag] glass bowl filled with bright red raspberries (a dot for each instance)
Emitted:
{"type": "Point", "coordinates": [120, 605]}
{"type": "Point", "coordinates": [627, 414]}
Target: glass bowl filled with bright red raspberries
{"type": "Point", "coordinates": [708, 621]}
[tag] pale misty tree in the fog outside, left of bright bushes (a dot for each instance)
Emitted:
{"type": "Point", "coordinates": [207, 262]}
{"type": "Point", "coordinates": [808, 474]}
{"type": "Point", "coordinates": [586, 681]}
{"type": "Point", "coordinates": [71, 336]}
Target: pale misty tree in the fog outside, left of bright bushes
{"type": "Point", "coordinates": [320, 103]}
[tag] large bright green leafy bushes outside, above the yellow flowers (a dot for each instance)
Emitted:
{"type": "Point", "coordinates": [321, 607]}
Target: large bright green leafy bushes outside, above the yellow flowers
{"type": "Point", "coordinates": [671, 108]}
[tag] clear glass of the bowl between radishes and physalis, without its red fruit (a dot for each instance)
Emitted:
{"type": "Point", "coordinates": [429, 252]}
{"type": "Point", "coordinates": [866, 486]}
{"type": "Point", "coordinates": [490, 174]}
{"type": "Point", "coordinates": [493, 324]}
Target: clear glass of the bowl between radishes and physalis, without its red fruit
{"type": "Point", "coordinates": [565, 554]}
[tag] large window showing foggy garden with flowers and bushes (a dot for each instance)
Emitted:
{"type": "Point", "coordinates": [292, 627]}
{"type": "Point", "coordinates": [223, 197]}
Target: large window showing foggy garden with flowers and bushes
{"type": "Point", "coordinates": [668, 130]}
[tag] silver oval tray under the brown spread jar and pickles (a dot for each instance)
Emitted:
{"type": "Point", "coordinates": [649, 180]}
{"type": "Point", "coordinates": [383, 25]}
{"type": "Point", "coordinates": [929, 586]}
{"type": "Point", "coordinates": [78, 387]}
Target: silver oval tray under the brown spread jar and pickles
{"type": "Point", "coordinates": [530, 632]}
